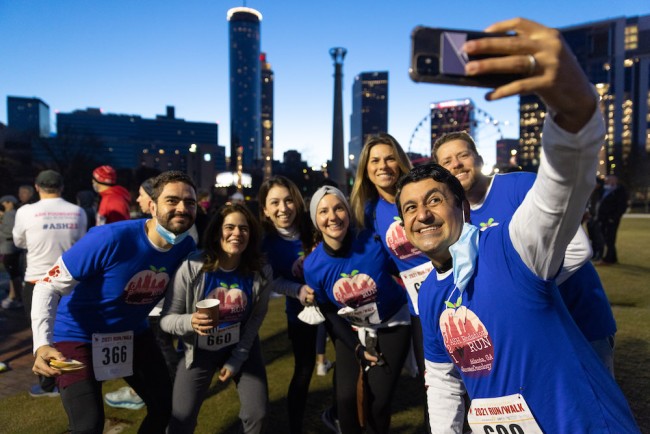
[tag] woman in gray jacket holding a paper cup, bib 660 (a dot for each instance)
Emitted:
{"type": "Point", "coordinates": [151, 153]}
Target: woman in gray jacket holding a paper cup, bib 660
{"type": "Point", "coordinates": [229, 269]}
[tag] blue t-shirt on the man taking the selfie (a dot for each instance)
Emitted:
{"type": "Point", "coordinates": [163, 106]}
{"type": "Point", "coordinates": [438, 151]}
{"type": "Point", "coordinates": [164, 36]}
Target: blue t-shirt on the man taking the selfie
{"type": "Point", "coordinates": [514, 335]}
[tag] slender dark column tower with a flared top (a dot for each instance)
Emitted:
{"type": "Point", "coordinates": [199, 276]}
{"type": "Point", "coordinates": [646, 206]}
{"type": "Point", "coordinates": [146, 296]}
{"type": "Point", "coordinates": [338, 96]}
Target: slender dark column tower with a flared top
{"type": "Point", "coordinates": [337, 168]}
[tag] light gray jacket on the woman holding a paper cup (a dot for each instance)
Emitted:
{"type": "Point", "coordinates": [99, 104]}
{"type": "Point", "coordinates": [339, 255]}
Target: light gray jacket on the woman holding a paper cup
{"type": "Point", "coordinates": [187, 287]}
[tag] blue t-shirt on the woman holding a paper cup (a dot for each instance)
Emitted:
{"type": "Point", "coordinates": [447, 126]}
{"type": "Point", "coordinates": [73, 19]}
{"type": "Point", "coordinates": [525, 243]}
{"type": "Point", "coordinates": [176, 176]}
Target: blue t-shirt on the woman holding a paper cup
{"type": "Point", "coordinates": [235, 295]}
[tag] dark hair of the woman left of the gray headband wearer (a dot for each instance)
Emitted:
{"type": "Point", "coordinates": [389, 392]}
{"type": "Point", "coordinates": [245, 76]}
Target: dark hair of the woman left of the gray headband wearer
{"type": "Point", "coordinates": [302, 221]}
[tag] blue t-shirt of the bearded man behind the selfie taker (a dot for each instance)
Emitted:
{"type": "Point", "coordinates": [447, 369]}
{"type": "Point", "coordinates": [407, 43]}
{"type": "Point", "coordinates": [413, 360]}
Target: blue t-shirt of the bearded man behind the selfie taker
{"type": "Point", "coordinates": [582, 292]}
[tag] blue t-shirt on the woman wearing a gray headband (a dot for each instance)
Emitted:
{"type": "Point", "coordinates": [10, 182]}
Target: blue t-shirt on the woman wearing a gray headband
{"type": "Point", "coordinates": [360, 279]}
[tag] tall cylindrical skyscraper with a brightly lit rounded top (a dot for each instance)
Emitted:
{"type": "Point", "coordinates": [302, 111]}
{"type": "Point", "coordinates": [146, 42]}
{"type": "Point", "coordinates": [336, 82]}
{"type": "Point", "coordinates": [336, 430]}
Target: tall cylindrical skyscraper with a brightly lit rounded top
{"type": "Point", "coordinates": [245, 86]}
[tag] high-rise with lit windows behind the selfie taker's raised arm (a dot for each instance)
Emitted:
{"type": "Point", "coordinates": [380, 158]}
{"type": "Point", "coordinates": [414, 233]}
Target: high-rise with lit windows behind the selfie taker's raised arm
{"type": "Point", "coordinates": [615, 54]}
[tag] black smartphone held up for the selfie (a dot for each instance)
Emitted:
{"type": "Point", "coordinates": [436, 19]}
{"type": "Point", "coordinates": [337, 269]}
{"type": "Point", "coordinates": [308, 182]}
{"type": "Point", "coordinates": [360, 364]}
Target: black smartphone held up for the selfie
{"type": "Point", "coordinates": [437, 56]}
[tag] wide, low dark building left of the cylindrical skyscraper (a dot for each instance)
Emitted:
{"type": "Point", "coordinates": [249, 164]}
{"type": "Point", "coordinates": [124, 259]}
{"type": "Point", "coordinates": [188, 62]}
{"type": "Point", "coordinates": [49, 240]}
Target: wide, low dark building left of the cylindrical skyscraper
{"type": "Point", "coordinates": [128, 141]}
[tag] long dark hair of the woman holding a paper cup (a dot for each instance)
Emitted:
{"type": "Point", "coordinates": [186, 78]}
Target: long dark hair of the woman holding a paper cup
{"type": "Point", "coordinates": [251, 258]}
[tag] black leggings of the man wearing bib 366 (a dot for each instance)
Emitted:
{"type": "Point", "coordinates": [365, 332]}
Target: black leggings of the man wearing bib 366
{"type": "Point", "coordinates": [83, 403]}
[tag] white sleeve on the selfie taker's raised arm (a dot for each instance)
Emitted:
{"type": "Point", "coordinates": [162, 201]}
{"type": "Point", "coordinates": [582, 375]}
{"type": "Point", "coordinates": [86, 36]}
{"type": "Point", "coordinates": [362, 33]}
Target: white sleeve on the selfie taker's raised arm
{"type": "Point", "coordinates": [555, 204]}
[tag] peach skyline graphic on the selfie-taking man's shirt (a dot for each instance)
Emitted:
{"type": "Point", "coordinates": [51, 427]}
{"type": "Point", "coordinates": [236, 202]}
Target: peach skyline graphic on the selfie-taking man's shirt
{"type": "Point", "coordinates": [467, 341]}
